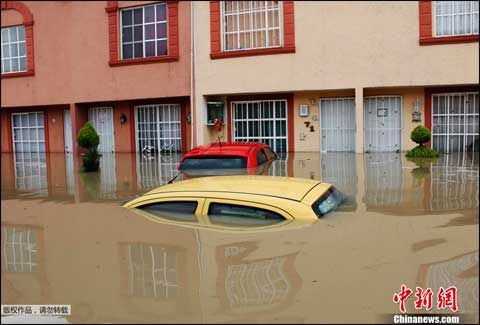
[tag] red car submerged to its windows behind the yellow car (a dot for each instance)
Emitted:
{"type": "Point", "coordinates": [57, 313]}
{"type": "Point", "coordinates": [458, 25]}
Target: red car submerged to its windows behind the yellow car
{"type": "Point", "coordinates": [228, 155]}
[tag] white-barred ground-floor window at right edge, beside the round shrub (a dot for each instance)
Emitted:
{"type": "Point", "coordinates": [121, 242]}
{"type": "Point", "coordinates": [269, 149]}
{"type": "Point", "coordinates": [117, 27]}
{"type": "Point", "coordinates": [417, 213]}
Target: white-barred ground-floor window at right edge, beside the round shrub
{"type": "Point", "coordinates": [455, 122]}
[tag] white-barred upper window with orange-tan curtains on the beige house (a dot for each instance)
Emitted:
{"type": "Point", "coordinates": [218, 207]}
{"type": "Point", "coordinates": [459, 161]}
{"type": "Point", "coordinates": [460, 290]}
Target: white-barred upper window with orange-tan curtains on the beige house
{"type": "Point", "coordinates": [251, 24]}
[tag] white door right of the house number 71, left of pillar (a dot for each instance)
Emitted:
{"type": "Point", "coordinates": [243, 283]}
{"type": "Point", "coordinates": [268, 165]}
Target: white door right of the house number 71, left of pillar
{"type": "Point", "coordinates": [337, 120]}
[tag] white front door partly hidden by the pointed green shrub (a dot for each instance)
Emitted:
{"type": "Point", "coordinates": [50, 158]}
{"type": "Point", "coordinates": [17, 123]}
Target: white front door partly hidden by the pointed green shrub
{"type": "Point", "coordinates": [102, 120]}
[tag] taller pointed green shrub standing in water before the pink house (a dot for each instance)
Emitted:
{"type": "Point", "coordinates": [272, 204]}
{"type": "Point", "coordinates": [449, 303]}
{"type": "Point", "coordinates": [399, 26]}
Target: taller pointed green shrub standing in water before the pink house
{"type": "Point", "coordinates": [88, 139]}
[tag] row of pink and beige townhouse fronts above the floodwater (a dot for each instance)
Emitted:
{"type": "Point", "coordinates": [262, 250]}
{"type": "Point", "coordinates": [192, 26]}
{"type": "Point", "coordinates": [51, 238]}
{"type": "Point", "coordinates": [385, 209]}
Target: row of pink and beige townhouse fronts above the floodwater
{"type": "Point", "coordinates": [298, 75]}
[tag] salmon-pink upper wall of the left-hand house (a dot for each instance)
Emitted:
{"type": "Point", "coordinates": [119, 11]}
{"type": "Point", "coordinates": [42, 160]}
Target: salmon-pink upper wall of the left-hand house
{"type": "Point", "coordinates": [71, 59]}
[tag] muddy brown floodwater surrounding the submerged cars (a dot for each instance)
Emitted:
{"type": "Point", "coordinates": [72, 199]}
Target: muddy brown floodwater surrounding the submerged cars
{"type": "Point", "coordinates": [67, 240]}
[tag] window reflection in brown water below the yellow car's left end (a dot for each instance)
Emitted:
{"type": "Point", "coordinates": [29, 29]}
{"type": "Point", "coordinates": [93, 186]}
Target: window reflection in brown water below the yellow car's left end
{"type": "Point", "coordinates": [152, 271]}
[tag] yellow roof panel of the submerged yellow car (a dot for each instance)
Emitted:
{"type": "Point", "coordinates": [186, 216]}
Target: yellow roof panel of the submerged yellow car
{"type": "Point", "coordinates": [283, 187]}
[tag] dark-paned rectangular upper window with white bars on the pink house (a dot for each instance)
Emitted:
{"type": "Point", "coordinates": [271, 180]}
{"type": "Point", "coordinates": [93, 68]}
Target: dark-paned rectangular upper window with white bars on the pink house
{"type": "Point", "coordinates": [144, 31]}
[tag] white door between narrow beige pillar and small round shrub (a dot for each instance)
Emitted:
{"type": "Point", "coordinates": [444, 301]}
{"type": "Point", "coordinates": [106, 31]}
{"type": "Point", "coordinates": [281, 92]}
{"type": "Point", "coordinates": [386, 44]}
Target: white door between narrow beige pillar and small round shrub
{"type": "Point", "coordinates": [383, 123]}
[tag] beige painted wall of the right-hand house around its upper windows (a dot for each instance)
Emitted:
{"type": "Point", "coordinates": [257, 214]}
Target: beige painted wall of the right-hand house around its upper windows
{"type": "Point", "coordinates": [339, 45]}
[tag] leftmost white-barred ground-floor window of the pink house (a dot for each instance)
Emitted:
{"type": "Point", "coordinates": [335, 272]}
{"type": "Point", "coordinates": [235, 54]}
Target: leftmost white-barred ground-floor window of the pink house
{"type": "Point", "coordinates": [28, 132]}
